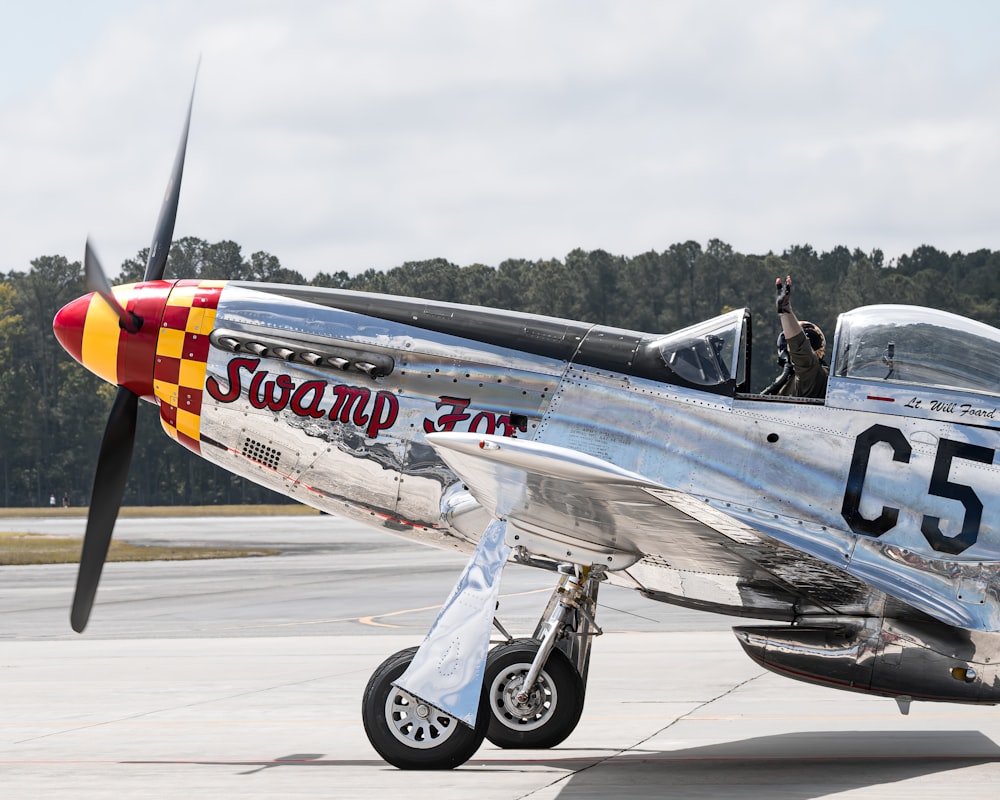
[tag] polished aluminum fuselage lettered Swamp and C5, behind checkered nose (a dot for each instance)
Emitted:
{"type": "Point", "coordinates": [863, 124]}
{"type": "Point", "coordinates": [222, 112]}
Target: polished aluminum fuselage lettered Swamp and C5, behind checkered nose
{"type": "Point", "coordinates": [840, 495]}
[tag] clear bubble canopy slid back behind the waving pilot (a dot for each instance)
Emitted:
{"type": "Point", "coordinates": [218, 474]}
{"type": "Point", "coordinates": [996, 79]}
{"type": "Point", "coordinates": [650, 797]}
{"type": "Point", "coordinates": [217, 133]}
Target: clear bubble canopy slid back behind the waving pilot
{"type": "Point", "coordinates": [915, 345]}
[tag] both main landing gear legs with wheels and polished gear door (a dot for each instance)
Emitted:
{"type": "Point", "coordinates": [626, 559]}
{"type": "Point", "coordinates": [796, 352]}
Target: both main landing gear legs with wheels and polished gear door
{"type": "Point", "coordinates": [525, 693]}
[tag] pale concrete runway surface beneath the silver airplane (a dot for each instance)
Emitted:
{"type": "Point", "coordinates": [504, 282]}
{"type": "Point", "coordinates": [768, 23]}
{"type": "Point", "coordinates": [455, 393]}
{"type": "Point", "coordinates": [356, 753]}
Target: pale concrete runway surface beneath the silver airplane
{"type": "Point", "coordinates": [243, 679]}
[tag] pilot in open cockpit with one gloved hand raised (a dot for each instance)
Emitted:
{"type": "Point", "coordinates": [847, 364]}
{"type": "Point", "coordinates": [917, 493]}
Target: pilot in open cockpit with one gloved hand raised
{"type": "Point", "coordinates": [803, 344]}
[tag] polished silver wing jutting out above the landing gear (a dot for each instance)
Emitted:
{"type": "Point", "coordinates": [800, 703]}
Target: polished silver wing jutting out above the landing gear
{"type": "Point", "coordinates": [563, 504]}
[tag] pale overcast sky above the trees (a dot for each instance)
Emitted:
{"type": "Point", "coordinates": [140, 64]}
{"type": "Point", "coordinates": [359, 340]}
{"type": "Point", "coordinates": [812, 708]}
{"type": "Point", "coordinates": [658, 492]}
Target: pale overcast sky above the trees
{"type": "Point", "coordinates": [356, 134]}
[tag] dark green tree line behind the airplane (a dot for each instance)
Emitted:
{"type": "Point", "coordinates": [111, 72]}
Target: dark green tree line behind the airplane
{"type": "Point", "coordinates": [52, 412]}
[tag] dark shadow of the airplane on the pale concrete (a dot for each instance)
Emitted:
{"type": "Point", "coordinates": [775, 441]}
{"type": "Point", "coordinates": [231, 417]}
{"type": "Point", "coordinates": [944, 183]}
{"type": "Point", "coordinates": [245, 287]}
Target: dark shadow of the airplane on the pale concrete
{"type": "Point", "coordinates": [795, 765]}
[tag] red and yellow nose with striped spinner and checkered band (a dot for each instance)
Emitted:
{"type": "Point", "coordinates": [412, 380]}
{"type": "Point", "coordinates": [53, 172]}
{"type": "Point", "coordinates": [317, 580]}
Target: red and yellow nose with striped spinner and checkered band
{"type": "Point", "coordinates": [164, 361]}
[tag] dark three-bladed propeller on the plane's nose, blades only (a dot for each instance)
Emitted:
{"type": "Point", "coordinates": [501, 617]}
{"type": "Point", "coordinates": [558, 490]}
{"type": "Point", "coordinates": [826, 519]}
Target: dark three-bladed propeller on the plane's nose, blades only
{"type": "Point", "coordinates": [115, 455]}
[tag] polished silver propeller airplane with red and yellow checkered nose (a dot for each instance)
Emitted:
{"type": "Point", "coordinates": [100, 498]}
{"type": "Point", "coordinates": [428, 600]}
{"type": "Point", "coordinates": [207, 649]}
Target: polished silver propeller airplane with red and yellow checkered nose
{"type": "Point", "coordinates": [860, 530]}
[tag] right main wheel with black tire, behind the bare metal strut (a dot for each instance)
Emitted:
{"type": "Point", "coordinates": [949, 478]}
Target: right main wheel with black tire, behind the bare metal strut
{"type": "Point", "coordinates": [544, 716]}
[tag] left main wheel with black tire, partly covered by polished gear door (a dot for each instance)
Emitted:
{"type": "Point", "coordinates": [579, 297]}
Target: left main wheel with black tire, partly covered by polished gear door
{"type": "Point", "coordinates": [401, 737]}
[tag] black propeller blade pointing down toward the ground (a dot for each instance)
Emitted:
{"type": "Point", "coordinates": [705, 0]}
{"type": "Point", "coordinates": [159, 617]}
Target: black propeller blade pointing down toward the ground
{"type": "Point", "coordinates": [105, 500]}
